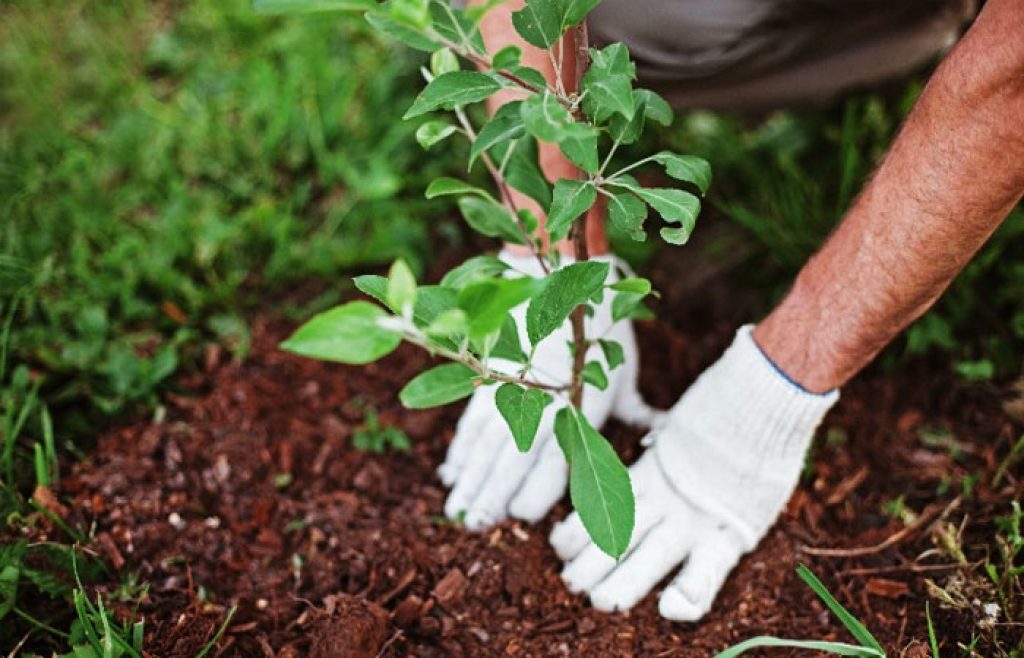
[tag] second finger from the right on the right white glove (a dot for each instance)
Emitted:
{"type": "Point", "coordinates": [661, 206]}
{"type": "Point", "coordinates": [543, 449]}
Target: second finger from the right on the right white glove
{"type": "Point", "coordinates": [660, 552]}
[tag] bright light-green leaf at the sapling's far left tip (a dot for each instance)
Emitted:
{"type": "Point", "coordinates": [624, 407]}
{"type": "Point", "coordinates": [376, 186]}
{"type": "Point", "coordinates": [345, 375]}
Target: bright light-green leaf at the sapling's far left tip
{"type": "Point", "coordinates": [348, 334]}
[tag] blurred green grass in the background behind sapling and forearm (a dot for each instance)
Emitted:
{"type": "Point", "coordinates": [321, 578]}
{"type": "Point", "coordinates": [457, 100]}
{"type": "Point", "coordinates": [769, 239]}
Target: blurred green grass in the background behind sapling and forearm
{"type": "Point", "coordinates": [168, 167]}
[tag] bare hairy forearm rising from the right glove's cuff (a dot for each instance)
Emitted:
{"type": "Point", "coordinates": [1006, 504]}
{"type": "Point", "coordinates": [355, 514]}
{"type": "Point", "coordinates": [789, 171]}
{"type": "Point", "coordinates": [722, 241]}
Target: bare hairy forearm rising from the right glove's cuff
{"type": "Point", "coordinates": [953, 176]}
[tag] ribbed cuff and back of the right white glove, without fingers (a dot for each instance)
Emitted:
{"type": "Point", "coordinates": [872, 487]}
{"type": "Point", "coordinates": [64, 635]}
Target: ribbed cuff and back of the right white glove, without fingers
{"type": "Point", "coordinates": [746, 428]}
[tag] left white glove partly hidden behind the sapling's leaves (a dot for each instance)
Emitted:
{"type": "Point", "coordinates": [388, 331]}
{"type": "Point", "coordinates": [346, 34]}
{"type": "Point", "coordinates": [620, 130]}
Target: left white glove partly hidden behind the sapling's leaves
{"type": "Point", "coordinates": [491, 479]}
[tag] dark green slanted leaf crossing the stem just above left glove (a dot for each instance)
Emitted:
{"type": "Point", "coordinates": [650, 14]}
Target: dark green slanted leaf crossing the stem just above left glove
{"type": "Point", "coordinates": [564, 291]}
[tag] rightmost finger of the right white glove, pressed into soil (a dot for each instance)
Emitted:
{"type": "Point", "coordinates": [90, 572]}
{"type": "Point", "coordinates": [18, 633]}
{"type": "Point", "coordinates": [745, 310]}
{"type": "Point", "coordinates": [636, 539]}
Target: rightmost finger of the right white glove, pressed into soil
{"type": "Point", "coordinates": [691, 596]}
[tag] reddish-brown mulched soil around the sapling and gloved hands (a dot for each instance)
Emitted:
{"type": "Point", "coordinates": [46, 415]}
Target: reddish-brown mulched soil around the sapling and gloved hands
{"type": "Point", "coordinates": [249, 494]}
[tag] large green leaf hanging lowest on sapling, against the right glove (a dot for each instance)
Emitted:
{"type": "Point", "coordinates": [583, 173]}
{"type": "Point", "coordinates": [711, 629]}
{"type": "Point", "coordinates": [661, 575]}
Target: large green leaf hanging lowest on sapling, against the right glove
{"type": "Point", "coordinates": [600, 485]}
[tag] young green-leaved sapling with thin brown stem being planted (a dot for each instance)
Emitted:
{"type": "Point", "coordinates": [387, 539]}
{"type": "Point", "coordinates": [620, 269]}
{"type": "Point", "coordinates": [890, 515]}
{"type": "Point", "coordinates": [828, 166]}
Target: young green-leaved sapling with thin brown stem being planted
{"type": "Point", "coordinates": [466, 319]}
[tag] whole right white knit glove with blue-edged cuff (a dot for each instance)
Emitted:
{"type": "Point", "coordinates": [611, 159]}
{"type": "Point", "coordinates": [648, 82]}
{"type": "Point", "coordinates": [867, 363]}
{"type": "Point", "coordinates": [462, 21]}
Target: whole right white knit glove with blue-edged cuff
{"type": "Point", "coordinates": [719, 473]}
